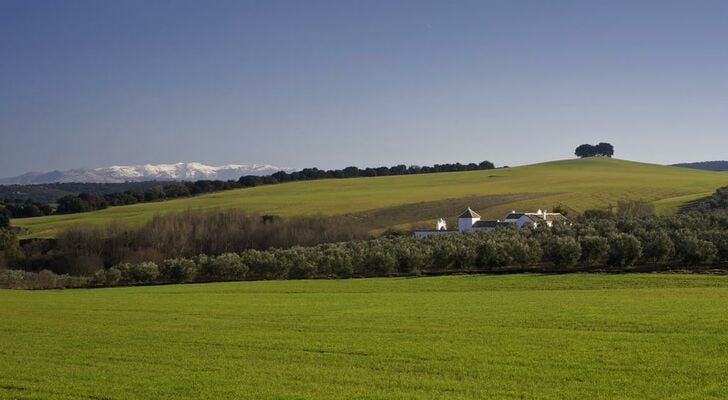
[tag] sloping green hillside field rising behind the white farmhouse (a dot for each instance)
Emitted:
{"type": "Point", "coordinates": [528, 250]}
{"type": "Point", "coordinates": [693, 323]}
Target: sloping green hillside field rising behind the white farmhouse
{"type": "Point", "coordinates": [577, 184]}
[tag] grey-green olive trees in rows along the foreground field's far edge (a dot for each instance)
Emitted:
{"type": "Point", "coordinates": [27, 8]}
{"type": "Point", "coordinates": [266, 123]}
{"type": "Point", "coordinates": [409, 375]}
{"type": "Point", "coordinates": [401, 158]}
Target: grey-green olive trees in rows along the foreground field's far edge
{"type": "Point", "coordinates": [690, 241]}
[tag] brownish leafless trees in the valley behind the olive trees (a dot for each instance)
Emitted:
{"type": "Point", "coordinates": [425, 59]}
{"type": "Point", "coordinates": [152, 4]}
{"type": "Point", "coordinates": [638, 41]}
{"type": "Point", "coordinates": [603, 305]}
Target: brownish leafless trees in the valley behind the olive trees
{"type": "Point", "coordinates": [84, 249]}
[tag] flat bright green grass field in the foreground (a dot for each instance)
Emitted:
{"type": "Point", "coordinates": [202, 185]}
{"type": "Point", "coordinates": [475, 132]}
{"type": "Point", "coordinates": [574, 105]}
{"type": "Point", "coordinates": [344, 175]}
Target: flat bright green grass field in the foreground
{"type": "Point", "coordinates": [463, 337]}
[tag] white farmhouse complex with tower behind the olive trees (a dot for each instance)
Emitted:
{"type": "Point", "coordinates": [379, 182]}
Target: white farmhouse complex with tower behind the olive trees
{"type": "Point", "coordinates": [469, 221]}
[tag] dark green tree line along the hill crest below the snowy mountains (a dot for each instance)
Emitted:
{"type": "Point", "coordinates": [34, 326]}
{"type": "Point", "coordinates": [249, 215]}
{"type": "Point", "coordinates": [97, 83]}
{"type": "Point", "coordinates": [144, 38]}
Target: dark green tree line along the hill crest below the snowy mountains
{"type": "Point", "coordinates": [85, 202]}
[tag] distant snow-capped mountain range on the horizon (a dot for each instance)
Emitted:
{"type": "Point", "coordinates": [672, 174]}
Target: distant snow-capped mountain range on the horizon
{"type": "Point", "coordinates": [137, 173]}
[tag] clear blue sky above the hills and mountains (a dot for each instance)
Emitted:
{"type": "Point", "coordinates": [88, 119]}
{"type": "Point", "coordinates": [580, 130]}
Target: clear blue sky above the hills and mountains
{"type": "Point", "coordinates": [366, 83]}
